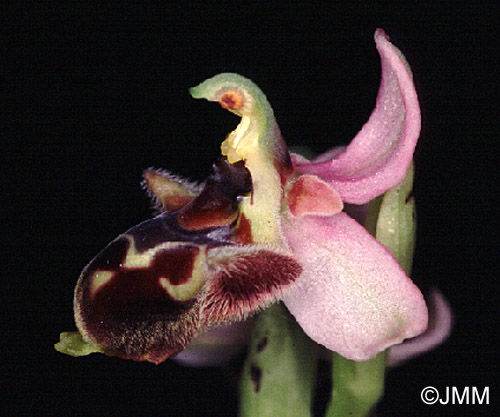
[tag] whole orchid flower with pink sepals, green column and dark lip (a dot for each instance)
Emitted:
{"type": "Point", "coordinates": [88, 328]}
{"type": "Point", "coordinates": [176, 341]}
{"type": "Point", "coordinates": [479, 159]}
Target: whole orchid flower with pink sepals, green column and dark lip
{"type": "Point", "coordinates": [264, 226]}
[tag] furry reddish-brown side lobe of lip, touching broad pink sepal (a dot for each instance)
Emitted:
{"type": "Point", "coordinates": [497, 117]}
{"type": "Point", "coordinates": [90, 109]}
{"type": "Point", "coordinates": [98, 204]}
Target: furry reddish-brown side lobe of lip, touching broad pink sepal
{"type": "Point", "coordinates": [243, 280]}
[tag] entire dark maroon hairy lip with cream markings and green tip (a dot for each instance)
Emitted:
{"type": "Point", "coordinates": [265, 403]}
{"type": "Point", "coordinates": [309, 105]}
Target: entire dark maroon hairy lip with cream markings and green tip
{"type": "Point", "coordinates": [156, 286]}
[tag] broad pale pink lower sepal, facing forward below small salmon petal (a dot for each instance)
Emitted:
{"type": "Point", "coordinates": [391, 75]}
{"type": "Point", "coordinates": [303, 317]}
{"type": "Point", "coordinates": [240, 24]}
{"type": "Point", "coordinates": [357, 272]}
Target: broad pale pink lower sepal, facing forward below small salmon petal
{"type": "Point", "coordinates": [352, 297]}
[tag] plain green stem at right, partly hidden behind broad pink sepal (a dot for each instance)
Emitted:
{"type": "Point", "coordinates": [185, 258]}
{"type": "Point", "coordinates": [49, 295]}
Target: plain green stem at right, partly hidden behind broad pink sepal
{"type": "Point", "coordinates": [358, 386]}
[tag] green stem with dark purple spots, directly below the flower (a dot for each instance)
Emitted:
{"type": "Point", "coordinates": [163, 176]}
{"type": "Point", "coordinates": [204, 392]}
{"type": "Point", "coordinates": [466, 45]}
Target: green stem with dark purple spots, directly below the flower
{"type": "Point", "coordinates": [279, 372]}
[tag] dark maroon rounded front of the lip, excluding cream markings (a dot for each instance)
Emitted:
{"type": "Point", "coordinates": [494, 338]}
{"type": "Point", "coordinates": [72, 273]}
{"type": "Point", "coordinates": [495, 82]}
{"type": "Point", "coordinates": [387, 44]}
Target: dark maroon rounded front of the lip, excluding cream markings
{"type": "Point", "coordinates": [131, 315]}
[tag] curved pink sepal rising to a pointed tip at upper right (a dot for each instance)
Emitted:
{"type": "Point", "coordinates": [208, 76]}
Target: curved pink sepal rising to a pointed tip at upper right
{"type": "Point", "coordinates": [379, 156]}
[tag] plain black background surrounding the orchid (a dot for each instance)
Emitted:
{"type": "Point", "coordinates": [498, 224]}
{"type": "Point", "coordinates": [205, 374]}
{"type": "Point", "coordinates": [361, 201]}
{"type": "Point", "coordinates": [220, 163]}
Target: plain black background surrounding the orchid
{"type": "Point", "coordinates": [97, 94]}
